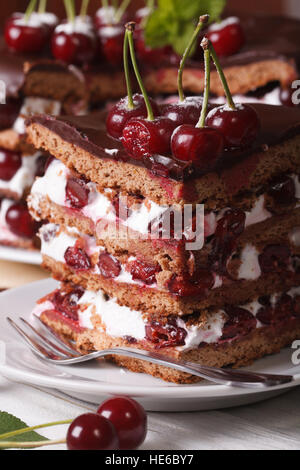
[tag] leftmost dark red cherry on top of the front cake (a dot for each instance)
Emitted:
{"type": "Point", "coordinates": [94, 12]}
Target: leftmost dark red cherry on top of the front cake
{"type": "Point", "coordinates": [119, 114]}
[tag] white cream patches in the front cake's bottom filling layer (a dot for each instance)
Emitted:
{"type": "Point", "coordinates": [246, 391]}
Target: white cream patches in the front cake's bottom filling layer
{"type": "Point", "coordinates": [99, 313]}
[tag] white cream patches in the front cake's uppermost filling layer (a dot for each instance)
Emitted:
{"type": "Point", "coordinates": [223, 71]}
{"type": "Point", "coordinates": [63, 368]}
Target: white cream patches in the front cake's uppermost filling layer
{"type": "Point", "coordinates": [53, 186]}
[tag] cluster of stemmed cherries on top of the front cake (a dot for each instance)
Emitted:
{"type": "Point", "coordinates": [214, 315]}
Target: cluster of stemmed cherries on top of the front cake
{"type": "Point", "coordinates": [145, 129]}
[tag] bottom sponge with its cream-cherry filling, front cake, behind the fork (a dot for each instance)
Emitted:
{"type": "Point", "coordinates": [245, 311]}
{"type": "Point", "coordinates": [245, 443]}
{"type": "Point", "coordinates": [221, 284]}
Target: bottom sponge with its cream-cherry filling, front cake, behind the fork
{"type": "Point", "coordinates": [233, 335]}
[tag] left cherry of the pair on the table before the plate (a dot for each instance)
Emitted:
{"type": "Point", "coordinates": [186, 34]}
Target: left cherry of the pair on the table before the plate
{"type": "Point", "coordinates": [91, 431]}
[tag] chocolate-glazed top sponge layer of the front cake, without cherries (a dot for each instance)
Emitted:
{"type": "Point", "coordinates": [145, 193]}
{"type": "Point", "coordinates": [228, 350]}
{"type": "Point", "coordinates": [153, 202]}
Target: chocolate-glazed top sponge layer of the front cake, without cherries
{"type": "Point", "coordinates": [83, 145]}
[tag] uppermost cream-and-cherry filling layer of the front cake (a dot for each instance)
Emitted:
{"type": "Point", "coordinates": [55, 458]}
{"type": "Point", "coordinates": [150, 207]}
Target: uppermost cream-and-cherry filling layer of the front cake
{"type": "Point", "coordinates": [142, 216]}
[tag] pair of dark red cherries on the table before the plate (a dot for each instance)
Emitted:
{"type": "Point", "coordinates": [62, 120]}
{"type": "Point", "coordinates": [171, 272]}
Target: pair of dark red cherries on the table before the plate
{"type": "Point", "coordinates": [120, 423]}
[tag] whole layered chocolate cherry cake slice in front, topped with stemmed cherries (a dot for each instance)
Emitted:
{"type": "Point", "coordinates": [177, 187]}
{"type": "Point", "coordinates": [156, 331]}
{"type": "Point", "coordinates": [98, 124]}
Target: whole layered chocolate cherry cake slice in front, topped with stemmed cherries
{"type": "Point", "coordinates": [182, 239]}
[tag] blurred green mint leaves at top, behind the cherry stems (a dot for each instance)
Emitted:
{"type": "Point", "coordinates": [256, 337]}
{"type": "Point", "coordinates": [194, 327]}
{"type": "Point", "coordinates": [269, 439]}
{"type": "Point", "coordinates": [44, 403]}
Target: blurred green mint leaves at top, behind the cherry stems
{"type": "Point", "coordinates": [173, 21]}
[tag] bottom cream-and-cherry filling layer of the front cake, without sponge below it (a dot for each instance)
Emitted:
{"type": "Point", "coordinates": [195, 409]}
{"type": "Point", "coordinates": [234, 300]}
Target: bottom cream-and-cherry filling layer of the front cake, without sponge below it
{"type": "Point", "coordinates": [76, 307]}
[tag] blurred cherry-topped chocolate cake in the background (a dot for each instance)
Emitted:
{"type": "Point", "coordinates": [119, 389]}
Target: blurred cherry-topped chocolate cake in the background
{"type": "Point", "coordinates": [74, 66]}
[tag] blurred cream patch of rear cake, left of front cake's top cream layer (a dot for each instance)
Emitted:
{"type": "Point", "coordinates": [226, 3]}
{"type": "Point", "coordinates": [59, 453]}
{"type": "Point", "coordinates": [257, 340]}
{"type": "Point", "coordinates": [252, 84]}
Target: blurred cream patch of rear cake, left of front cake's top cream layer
{"type": "Point", "coordinates": [24, 177]}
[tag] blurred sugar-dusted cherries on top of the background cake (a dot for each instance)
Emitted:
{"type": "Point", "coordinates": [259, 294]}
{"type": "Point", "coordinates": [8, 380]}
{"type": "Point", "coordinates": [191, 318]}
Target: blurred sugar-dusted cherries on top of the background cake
{"type": "Point", "coordinates": [82, 39]}
